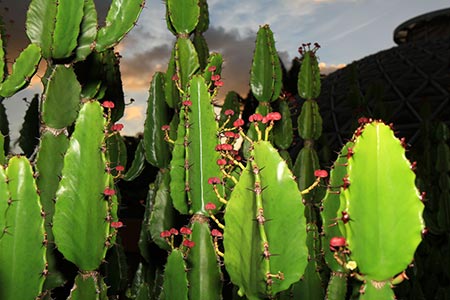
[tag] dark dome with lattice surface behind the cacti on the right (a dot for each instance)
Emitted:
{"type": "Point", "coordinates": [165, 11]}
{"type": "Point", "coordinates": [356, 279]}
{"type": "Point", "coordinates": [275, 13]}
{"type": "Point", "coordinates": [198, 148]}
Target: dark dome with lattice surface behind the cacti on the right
{"type": "Point", "coordinates": [406, 85]}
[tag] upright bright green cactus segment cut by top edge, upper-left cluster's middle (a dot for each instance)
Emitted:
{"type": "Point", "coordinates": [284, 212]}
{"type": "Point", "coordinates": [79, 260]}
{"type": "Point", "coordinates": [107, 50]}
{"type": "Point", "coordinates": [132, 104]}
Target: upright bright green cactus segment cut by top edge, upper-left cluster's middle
{"type": "Point", "coordinates": [69, 15]}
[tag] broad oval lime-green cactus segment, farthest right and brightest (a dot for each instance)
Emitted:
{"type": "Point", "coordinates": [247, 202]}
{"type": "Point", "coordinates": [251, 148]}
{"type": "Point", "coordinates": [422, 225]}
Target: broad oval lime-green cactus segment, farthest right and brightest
{"type": "Point", "coordinates": [383, 204]}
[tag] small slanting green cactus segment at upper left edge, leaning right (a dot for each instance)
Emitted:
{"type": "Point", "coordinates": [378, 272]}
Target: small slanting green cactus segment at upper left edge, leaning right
{"type": "Point", "coordinates": [22, 70]}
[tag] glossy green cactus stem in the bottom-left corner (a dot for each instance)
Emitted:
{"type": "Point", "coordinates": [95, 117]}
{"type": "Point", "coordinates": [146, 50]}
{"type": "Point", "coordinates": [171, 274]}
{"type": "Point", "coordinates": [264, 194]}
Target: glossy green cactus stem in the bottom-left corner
{"type": "Point", "coordinates": [23, 240]}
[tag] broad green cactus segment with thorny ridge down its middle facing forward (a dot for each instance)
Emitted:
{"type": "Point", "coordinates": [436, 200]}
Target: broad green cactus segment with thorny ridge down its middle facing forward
{"type": "Point", "coordinates": [265, 236]}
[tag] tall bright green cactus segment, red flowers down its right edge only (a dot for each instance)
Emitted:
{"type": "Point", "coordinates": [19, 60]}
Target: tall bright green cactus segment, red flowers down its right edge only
{"type": "Point", "coordinates": [79, 223]}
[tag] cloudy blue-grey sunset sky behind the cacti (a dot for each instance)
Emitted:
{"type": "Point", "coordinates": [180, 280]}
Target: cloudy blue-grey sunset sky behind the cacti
{"type": "Point", "coordinates": [347, 30]}
